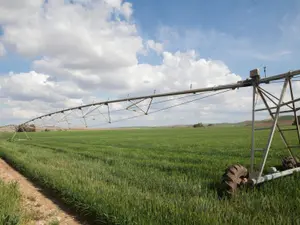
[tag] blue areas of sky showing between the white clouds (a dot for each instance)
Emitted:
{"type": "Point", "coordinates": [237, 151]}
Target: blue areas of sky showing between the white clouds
{"type": "Point", "coordinates": [254, 23]}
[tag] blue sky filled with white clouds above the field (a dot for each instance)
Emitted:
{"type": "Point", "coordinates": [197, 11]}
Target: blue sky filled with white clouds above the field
{"type": "Point", "coordinates": [56, 54]}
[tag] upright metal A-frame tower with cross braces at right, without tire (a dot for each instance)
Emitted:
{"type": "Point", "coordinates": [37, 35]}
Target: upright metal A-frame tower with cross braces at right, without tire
{"type": "Point", "coordinates": [257, 176]}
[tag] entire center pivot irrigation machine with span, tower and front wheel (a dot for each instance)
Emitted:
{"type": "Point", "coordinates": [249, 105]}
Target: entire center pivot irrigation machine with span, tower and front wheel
{"type": "Point", "coordinates": [235, 175]}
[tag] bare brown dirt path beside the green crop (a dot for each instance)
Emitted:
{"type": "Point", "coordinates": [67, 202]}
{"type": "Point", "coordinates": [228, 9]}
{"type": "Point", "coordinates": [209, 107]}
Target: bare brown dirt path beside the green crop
{"type": "Point", "coordinates": [41, 209]}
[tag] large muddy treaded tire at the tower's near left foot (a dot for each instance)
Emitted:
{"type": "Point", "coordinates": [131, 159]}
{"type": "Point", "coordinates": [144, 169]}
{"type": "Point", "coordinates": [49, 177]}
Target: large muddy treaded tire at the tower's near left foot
{"type": "Point", "coordinates": [233, 178]}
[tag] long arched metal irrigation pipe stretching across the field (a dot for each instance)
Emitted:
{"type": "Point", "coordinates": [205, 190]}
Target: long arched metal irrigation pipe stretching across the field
{"type": "Point", "coordinates": [239, 84]}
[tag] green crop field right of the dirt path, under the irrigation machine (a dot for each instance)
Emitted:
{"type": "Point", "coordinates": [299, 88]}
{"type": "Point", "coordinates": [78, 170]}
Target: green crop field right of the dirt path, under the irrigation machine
{"type": "Point", "coordinates": [155, 176]}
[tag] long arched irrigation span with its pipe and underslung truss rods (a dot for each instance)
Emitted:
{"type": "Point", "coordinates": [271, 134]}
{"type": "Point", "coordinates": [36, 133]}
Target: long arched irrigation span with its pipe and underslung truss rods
{"type": "Point", "coordinates": [85, 115]}
